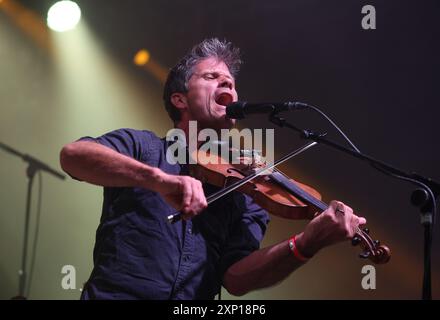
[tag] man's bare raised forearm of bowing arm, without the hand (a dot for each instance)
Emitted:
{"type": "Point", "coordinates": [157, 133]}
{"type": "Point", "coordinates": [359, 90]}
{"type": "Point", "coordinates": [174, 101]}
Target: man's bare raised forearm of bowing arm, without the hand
{"type": "Point", "coordinates": [97, 164]}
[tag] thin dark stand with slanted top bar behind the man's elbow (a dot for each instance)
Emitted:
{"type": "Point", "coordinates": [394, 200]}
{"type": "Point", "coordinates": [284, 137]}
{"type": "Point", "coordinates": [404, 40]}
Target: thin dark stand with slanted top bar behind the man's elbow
{"type": "Point", "coordinates": [33, 166]}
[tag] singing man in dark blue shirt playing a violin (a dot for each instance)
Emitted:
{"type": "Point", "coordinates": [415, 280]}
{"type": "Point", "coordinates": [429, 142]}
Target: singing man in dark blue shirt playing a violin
{"type": "Point", "coordinates": [138, 254]}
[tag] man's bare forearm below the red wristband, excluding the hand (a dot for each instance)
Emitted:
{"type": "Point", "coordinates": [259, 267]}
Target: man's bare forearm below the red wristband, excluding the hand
{"type": "Point", "coordinates": [260, 269]}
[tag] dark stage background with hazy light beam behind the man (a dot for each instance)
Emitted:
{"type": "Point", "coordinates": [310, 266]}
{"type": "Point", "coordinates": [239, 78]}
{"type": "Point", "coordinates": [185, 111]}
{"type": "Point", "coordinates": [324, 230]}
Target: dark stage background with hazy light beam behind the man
{"type": "Point", "coordinates": [380, 86]}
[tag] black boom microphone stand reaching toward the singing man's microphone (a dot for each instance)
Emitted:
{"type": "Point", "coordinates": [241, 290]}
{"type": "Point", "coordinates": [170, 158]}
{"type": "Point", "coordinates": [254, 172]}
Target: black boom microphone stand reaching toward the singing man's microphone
{"type": "Point", "coordinates": [424, 197]}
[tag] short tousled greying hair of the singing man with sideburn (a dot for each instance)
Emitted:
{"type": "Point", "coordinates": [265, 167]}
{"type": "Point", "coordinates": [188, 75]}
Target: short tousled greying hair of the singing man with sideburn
{"type": "Point", "coordinates": [180, 74]}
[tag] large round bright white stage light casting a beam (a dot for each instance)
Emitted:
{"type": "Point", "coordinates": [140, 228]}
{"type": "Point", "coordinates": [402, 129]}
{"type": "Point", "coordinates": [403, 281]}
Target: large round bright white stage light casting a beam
{"type": "Point", "coordinates": [63, 16]}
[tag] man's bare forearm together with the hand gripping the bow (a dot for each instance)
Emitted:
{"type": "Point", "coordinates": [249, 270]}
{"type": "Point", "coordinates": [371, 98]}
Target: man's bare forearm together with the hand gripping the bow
{"type": "Point", "coordinates": [101, 165]}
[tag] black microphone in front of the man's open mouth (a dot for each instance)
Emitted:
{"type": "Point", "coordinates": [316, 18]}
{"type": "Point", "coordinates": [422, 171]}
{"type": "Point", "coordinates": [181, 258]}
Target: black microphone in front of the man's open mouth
{"type": "Point", "coordinates": [239, 109]}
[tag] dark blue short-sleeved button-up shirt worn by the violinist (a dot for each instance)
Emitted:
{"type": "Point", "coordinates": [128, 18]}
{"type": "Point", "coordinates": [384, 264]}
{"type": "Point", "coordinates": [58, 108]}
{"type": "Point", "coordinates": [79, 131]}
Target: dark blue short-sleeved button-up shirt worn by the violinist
{"type": "Point", "coordinates": [139, 255]}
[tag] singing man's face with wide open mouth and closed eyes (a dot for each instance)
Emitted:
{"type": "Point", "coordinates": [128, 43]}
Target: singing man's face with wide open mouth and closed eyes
{"type": "Point", "coordinates": [210, 89]}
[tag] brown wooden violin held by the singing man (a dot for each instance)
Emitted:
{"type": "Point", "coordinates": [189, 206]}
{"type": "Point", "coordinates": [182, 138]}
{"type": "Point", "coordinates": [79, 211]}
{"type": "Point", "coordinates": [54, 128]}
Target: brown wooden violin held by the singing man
{"type": "Point", "coordinates": [273, 191]}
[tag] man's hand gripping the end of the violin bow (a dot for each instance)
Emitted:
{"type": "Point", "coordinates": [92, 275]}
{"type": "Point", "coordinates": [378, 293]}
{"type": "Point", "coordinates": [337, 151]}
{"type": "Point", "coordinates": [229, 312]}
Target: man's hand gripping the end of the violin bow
{"type": "Point", "coordinates": [184, 193]}
